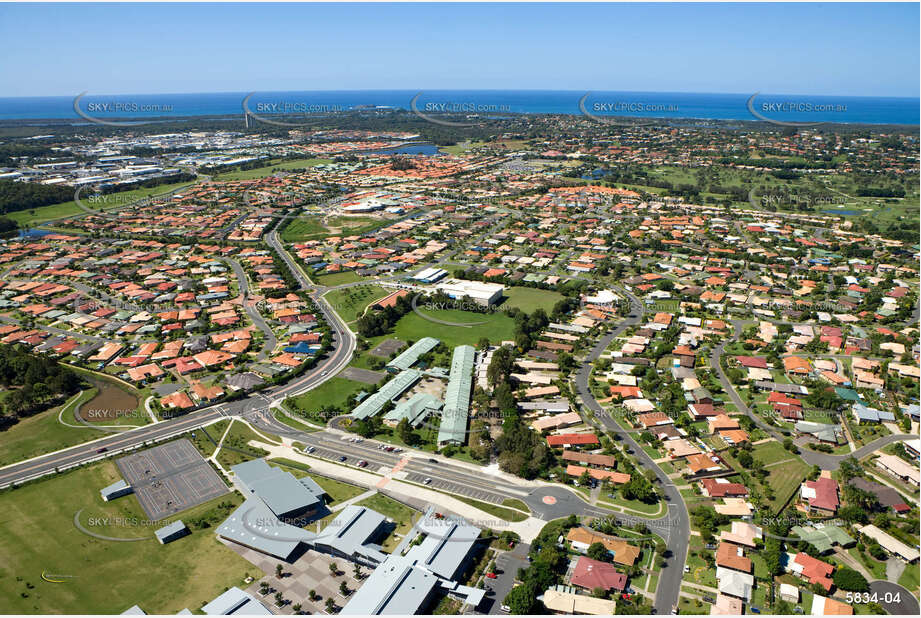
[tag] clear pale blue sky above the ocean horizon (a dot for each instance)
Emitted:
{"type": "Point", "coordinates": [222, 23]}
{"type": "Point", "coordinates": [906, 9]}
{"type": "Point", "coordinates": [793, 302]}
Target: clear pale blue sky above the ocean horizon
{"type": "Point", "coordinates": [833, 49]}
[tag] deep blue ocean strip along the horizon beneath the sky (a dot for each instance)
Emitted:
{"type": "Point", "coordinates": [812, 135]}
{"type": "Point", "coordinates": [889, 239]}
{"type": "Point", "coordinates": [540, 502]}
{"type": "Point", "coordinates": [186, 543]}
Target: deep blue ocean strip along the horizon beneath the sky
{"type": "Point", "coordinates": [786, 108]}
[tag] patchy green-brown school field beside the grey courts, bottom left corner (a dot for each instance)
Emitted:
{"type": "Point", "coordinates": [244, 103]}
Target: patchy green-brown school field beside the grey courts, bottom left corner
{"type": "Point", "coordinates": [37, 534]}
